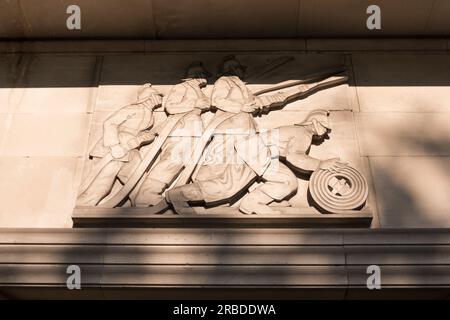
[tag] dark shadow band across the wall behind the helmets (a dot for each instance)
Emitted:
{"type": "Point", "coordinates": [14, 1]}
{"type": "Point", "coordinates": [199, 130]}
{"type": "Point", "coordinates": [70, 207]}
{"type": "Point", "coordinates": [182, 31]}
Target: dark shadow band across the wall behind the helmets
{"type": "Point", "coordinates": [78, 70]}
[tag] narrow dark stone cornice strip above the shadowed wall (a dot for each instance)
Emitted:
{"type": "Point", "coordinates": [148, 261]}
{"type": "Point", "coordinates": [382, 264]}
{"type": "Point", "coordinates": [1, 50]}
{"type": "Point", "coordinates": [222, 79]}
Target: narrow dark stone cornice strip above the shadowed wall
{"type": "Point", "coordinates": [234, 45]}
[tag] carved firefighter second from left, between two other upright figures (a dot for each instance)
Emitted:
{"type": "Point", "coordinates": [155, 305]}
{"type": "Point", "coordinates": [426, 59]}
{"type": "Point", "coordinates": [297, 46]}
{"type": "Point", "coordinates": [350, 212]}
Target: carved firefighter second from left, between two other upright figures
{"type": "Point", "coordinates": [184, 98]}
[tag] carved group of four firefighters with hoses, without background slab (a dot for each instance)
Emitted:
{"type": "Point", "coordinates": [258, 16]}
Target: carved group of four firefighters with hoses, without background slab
{"type": "Point", "coordinates": [186, 164]}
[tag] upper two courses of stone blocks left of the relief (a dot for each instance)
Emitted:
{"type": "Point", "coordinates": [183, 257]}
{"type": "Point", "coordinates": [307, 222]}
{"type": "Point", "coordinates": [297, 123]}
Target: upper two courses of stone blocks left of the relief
{"type": "Point", "coordinates": [47, 105]}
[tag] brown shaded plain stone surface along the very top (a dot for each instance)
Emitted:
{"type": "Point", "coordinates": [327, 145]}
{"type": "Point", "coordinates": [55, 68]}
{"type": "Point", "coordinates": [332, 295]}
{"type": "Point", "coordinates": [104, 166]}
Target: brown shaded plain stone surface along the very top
{"type": "Point", "coordinates": [209, 19]}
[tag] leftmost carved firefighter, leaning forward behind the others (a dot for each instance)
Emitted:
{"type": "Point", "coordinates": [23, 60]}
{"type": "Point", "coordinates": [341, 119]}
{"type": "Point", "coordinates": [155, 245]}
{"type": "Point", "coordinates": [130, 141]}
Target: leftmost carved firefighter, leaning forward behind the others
{"type": "Point", "coordinates": [115, 156]}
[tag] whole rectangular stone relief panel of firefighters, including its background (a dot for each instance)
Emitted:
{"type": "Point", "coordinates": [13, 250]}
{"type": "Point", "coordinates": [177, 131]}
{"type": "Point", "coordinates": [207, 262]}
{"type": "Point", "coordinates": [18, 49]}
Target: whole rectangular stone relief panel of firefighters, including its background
{"type": "Point", "coordinates": [249, 134]}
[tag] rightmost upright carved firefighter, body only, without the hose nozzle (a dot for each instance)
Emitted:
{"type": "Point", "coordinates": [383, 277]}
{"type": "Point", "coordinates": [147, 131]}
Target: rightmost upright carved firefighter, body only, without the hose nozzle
{"type": "Point", "coordinates": [219, 177]}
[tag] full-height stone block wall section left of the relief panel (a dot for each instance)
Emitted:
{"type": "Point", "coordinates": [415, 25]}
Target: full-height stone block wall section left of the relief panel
{"type": "Point", "coordinates": [45, 102]}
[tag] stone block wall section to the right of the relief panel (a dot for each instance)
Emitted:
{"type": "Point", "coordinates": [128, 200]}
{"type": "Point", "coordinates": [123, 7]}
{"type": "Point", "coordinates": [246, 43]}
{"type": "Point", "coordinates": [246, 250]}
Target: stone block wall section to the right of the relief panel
{"type": "Point", "coordinates": [404, 130]}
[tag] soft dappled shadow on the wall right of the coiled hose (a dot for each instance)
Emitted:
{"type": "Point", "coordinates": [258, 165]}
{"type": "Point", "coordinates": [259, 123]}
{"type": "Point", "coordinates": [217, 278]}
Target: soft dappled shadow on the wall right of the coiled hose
{"type": "Point", "coordinates": [412, 172]}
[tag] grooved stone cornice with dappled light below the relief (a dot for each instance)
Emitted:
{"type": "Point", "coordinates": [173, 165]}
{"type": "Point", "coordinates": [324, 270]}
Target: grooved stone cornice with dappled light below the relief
{"type": "Point", "coordinates": [244, 259]}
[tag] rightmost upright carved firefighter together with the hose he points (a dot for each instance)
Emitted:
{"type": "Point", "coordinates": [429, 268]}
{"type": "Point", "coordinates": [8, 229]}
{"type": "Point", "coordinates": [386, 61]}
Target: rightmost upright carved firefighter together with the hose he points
{"type": "Point", "coordinates": [221, 175]}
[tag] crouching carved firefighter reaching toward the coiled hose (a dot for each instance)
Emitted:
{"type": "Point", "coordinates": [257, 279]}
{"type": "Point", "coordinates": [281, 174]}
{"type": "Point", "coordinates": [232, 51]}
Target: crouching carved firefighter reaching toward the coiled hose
{"type": "Point", "coordinates": [288, 144]}
